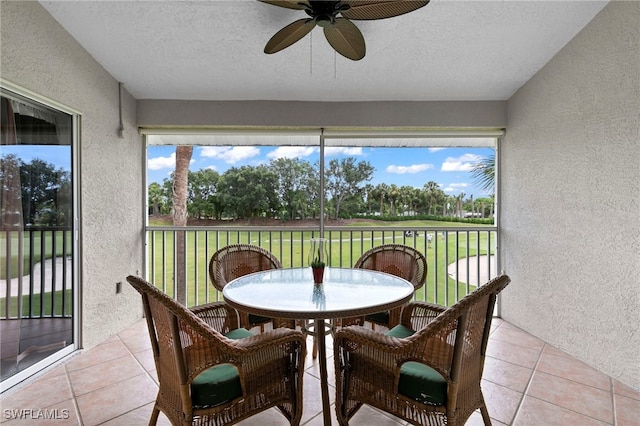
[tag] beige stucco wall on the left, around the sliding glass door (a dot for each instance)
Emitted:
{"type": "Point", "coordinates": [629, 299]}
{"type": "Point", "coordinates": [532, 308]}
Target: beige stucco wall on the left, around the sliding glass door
{"type": "Point", "coordinates": [39, 55]}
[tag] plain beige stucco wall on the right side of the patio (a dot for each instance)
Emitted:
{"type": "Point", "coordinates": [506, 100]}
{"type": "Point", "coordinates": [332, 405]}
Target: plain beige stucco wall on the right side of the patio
{"type": "Point", "coordinates": [571, 197]}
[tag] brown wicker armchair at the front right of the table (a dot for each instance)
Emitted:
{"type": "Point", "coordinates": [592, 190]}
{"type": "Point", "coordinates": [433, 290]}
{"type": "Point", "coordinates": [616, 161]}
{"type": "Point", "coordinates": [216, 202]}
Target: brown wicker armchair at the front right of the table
{"type": "Point", "coordinates": [426, 370]}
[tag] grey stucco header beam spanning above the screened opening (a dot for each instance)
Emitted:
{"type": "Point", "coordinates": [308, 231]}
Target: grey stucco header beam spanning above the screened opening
{"type": "Point", "coordinates": [472, 114]}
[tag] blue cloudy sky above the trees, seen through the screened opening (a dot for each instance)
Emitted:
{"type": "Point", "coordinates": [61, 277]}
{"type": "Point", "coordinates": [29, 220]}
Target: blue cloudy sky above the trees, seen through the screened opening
{"type": "Point", "coordinates": [449, 167]}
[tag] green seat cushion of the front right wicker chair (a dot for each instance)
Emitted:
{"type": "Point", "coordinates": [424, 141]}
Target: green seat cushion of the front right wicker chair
{"type": "Point", "coordinates": [418, 381]}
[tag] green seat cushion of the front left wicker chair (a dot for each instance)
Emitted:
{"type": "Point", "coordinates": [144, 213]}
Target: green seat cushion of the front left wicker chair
{"type": "Point", "coordinates": [220, 383]}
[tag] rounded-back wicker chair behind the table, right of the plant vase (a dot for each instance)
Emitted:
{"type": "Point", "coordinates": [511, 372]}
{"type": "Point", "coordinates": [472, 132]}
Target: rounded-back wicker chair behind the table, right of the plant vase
{"type": "Point", "coordinates": [402, 261]}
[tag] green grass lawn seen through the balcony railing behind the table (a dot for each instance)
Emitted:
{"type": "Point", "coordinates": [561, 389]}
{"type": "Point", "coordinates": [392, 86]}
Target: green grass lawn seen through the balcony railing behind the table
{"type": "Point", "coordinates": [291, 248]}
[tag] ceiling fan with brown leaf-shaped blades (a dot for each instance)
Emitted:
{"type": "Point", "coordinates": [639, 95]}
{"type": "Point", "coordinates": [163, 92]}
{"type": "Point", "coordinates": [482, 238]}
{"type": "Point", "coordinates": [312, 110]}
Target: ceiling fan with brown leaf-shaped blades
{"type": "Point", "coordinates": [341, 33]}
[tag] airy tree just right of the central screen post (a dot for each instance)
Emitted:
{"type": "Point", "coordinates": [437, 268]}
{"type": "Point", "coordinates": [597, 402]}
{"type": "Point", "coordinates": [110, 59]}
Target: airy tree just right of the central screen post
{"type": "Point", "coordinates": [345, 178]}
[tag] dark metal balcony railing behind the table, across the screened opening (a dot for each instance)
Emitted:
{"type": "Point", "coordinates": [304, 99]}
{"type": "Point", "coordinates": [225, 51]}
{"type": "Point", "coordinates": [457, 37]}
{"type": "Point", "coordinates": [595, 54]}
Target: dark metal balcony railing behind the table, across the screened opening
{"type": "Point", "coordinates": [459, 257]}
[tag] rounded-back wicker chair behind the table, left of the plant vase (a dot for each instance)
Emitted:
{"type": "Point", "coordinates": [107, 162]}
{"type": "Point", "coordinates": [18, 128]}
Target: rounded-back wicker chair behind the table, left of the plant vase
{"type": "Point", "coordinates": [237, 260]}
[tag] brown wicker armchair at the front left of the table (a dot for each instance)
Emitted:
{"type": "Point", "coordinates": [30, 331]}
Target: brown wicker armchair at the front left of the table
{"type": "Point", "coordinates": [210, 371]}
